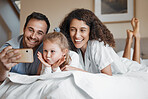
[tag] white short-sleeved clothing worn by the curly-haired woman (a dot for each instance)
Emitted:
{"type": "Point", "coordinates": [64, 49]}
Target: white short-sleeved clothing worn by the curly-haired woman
{"type": "Point", "coordinates": [98, 56]}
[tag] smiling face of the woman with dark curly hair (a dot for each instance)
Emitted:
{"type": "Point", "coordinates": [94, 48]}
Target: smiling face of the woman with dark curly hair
{"type": "Point", "coordinates": [79, 33]}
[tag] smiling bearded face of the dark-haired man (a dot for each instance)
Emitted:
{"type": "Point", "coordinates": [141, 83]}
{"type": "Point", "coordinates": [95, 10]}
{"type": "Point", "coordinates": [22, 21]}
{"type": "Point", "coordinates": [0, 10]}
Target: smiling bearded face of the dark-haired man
{"type": "Point", "coordinates": [34, 33]}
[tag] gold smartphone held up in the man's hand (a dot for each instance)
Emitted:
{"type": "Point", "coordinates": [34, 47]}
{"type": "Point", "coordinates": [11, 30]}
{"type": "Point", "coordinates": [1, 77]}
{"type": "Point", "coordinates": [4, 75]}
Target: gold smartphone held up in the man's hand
{"type": "Point", "coordinates": [26, 55]}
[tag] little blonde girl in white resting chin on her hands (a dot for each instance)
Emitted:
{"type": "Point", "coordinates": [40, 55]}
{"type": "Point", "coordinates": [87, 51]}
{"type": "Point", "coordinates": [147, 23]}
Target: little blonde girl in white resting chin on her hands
{"type": "Point", "coordinates": [56, 54]}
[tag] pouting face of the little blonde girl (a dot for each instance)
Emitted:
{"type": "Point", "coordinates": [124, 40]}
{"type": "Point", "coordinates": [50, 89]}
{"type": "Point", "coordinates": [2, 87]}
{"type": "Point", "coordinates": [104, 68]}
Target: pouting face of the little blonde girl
{"type": "Point", "coordinates": [52, 52]}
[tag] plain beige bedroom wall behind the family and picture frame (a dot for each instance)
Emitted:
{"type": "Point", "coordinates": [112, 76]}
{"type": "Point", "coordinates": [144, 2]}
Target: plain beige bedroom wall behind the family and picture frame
{"type": "Point", "coordinates": [57, 9]}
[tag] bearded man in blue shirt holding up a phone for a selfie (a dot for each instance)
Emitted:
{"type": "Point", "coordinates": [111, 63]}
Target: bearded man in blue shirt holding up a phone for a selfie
{"type": "Point", "coordinates": [35, 28]}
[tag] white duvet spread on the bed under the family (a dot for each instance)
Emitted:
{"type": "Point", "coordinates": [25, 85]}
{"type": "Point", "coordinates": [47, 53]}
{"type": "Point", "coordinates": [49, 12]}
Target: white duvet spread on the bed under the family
{"type": "Point", "coordinates": [76, 85]}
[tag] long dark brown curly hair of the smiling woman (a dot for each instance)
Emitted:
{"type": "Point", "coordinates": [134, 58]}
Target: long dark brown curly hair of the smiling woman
{"type": "Point", "coordinates": [98, 31]}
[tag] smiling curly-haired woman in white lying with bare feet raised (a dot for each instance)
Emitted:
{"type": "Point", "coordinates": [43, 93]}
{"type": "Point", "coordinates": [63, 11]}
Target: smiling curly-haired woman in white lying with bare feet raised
{"type": "Point", "coordinates": [94, 43]}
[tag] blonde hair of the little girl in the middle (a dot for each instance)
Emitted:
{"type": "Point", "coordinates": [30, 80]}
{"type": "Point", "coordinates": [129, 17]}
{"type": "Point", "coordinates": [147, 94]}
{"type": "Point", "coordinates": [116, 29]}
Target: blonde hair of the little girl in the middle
{"type": "Point", "coordinates": [61, 40]}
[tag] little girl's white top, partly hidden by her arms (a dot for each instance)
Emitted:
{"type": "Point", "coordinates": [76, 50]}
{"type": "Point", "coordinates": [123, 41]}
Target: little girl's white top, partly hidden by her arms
{"type": "Point", "coordinates": [74, 63]}
